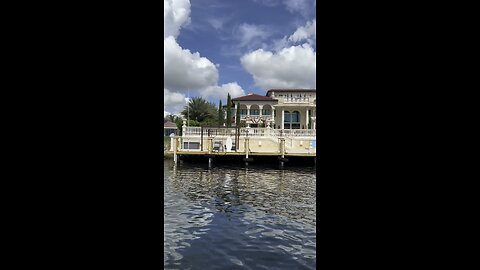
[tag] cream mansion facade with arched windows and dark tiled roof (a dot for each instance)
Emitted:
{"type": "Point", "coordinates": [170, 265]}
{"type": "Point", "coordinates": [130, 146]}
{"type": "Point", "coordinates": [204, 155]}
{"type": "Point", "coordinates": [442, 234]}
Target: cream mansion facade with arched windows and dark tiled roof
{"type": "Point", "coordinates": [278, 109]}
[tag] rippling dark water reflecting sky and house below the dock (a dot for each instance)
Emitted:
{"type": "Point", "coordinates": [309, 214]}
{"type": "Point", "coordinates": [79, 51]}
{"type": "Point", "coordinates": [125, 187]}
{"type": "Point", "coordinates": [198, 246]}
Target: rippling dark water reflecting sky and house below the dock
{"type": "Point", "coordinates": [239, 218]}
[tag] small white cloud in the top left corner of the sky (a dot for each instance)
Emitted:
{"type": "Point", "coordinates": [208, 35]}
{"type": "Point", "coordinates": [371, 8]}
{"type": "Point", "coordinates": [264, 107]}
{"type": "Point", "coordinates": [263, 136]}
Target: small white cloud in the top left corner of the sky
{"type": "Point", "coordinates": [176, 13]}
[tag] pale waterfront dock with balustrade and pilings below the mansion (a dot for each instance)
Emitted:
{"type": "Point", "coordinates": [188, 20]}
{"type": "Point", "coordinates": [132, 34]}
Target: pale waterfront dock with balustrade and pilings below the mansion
{"type": "Point", "coordinates": [211, 143]}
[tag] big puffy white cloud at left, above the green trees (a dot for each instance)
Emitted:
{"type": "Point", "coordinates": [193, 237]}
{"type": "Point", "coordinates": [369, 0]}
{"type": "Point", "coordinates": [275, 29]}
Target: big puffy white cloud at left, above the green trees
{"type": "Point", "coordinates": [184, 70]}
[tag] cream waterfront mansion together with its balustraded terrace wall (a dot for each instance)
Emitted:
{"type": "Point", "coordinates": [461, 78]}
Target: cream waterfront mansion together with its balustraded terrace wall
{"type": "Point", "coordinates": [282, 122]}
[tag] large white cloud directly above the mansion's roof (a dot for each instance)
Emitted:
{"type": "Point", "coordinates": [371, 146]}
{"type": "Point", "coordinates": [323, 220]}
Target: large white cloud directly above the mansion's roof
{"type": "Point", "coordinates": [292, 67]}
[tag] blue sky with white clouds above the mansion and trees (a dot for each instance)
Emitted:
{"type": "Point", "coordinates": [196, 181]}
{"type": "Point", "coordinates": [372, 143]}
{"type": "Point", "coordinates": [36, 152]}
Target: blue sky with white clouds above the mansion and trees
{"type": "Point", "coordinates": [215, 47]}
